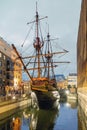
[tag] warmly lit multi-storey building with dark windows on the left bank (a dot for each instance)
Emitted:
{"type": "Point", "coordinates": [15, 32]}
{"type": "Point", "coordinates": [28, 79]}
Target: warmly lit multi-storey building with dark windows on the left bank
{"type": "Point", "coordinates": [10, 68]}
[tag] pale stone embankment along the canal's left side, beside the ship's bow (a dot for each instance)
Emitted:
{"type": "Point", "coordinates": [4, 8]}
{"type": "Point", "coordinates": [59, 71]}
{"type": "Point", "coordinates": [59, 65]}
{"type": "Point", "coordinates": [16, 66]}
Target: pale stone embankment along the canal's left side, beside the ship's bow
{"type": "Point", "coordinates": [8, 107]}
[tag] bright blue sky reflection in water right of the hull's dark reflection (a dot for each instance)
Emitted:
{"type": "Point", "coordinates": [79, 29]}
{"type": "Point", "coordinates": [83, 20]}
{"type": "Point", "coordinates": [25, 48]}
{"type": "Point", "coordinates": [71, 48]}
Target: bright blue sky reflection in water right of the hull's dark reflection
{"type": "Point", "coordinates": [67, 119]}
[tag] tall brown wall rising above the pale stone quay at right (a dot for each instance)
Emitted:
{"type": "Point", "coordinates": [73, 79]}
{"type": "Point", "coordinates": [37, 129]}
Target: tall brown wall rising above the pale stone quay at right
{"type": "Point", "coordinates": [82, 47]}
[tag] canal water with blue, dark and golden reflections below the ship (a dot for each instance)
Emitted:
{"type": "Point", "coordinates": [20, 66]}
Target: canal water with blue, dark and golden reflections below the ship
{"type": "Point", "coordinates": [63, 118]}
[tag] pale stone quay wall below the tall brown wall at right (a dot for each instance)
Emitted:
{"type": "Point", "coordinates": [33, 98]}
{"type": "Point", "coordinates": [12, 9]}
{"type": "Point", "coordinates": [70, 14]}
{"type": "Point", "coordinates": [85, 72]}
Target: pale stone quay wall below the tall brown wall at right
{"type": "Point", "coordinates": [82, 107]}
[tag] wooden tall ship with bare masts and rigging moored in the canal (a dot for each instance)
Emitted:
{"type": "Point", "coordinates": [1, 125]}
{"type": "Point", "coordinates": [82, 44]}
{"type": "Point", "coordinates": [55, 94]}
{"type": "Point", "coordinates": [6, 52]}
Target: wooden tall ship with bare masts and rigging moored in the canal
{"type": "Point", "coordinates": [40, 67]}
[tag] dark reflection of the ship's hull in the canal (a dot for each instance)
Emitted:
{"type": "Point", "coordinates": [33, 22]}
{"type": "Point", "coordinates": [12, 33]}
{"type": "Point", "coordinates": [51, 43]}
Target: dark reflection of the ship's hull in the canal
{"type": "Point", "coordinates": [46, 119]}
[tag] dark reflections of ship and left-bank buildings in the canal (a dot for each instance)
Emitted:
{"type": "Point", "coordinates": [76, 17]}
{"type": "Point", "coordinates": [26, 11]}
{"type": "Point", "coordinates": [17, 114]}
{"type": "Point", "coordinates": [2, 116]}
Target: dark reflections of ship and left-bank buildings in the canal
{"type": "Point", "coordinates": [31, 119]}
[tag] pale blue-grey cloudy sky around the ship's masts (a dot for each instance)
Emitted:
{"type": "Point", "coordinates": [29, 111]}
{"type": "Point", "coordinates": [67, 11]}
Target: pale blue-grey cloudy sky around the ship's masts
{"type": "Point", "coordinates": [63, 20]}
